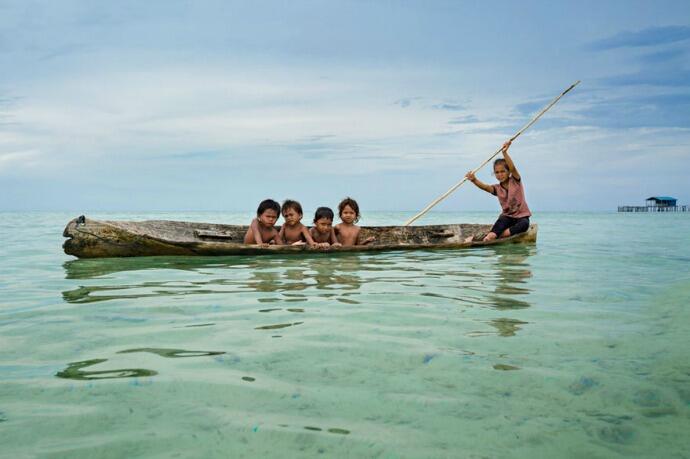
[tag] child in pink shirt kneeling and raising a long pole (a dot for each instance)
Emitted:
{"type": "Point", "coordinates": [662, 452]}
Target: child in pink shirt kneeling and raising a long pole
{"type": "Point", "coordinates": [515, 216]}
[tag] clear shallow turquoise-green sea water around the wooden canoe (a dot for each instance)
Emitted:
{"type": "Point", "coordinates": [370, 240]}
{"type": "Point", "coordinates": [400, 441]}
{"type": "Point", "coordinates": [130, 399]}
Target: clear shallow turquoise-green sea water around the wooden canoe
{"type": "Point", "coordinates": [574, 347]}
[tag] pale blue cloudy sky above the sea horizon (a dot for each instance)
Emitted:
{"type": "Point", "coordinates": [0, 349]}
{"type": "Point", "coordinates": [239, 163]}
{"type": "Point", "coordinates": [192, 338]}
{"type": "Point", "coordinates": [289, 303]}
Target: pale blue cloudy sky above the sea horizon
{"type": "Point", "coordinates": [216, 105]}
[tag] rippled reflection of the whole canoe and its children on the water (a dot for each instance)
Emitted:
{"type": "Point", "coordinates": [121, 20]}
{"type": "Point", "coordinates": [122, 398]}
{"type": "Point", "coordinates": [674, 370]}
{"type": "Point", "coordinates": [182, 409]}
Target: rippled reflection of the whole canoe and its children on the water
{"type": "Point", "coordinates": [492, 277]}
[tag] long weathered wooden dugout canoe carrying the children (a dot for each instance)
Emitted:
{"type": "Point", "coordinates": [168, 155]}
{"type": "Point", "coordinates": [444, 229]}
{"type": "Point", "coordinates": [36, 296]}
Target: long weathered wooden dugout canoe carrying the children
{"type": "Point", "coordinates": [100, 239]}
